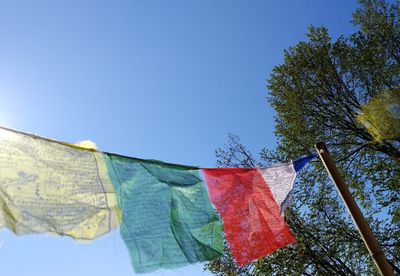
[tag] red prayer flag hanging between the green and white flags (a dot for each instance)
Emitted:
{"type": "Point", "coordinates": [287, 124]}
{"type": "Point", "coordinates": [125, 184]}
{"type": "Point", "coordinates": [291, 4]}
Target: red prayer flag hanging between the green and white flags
{"type": "Point", "coordinates": [253, 224]}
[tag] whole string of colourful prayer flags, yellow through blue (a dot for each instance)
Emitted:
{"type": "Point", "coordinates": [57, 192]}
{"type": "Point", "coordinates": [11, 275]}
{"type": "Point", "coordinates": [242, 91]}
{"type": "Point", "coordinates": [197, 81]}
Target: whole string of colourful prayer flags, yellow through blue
{"type": "Point", "coordinates": [165, 211]}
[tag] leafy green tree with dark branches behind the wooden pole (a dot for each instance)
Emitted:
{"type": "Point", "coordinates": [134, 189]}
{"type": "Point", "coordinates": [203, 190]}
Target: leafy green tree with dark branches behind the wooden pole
{"type": "Point", "coordinates": [317, 93]}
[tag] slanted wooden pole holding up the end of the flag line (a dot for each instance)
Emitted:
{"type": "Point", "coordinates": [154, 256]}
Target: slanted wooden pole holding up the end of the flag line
{"type": "Point", "coordinates": [358, 218]}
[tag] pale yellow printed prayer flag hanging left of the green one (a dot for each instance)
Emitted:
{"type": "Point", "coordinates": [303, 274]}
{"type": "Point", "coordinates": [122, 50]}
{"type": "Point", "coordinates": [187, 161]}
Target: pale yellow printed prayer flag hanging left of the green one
{"type": "Point", "coordinates": [52, 187]}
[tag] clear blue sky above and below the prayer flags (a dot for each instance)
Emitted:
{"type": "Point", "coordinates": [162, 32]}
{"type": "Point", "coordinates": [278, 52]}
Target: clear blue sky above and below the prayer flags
{"type": "Point", "coordinates": [164, 80]}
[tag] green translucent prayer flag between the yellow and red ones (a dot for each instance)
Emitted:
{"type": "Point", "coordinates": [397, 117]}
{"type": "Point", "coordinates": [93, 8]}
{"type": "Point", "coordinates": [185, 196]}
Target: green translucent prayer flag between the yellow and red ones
{"type": "Point", "coordinates": [167, 218]}
